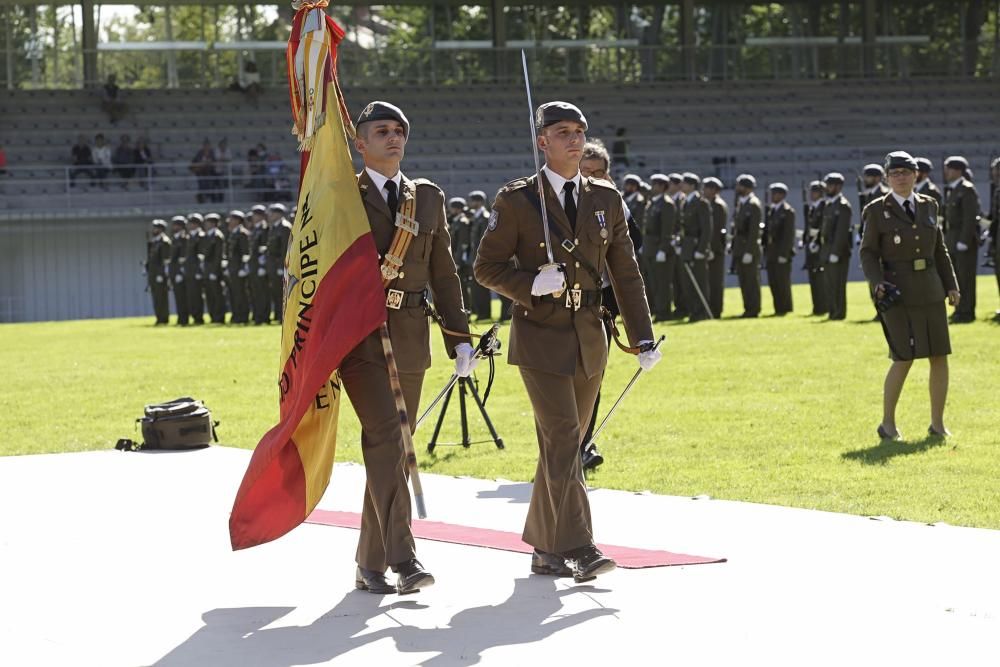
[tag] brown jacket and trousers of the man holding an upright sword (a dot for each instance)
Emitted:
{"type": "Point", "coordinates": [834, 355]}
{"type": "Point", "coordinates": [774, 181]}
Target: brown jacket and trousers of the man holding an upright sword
{"type": "Point", "coordinates": [561, 351]}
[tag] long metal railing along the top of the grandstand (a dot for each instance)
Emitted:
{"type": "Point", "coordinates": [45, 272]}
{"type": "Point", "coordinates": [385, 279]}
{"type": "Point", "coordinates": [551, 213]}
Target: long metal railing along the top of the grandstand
{"type": "Point", "coordinates": [215, 68]}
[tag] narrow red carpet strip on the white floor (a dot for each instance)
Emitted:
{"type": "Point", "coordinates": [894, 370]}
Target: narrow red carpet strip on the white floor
{"type": "Point", "coordinates": [627, 557]}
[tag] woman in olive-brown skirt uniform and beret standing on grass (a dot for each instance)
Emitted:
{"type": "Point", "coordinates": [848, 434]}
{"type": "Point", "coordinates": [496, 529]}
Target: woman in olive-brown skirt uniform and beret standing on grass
{"type": "Point", "coordinates": [903, 250]}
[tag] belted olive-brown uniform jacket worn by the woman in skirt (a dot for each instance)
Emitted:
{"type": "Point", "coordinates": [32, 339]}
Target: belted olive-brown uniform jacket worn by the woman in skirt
{"type": "Point", "coordinates": [891, 243]}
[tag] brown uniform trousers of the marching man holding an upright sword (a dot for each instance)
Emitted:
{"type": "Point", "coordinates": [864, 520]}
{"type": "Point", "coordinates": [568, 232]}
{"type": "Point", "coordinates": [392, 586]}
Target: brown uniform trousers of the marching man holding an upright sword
{"type": "Point", "coordinates": [559, 513]}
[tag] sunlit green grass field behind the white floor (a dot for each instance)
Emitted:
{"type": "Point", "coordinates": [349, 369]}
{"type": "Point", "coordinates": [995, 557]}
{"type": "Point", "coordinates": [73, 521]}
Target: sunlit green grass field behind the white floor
{"type": "Point", "coordinates": [773, 410]}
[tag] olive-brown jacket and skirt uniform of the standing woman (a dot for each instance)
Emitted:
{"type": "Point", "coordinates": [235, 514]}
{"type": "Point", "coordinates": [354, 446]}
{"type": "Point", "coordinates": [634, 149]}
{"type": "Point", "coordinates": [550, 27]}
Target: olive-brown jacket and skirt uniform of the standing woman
{"type": "Point", "coordinates": [910, 254]}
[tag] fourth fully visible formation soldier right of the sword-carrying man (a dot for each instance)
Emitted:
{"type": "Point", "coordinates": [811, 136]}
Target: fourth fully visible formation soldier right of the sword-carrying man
{"type": "Point", "coordinates": [748, 220]}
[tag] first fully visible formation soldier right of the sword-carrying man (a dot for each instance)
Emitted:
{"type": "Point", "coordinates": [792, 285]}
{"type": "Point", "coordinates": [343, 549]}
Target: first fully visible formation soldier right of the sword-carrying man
{"type": "Point", "coordinates": [658, 255]}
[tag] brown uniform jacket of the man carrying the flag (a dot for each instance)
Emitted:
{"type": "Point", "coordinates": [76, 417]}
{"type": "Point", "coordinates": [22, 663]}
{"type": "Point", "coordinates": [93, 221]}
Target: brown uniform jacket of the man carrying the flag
{"type": "Point", "coordinates": [428, 264]}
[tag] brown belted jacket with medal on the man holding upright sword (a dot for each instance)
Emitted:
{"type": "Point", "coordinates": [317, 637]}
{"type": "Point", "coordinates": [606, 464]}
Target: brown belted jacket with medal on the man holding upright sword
{"type": "Point", "coordinates": [546, 335]}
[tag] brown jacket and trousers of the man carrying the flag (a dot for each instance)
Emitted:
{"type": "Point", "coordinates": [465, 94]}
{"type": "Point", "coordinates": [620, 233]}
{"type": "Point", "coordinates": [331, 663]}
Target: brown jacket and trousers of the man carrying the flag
{"type": "Point", "coordinates": [385, 537]}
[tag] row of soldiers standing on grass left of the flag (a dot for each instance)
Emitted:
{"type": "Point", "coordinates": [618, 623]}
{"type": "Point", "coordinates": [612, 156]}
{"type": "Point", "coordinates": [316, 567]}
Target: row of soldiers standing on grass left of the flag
{"type": "Point", "coordinates": [212, 267]}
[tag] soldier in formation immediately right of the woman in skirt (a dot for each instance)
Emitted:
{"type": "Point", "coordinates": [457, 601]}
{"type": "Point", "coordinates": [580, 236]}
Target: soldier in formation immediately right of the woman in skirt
{"type": "Point", "coordinates": [961, 230]}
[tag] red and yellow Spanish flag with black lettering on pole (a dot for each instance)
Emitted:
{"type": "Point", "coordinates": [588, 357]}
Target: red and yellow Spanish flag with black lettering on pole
{"type": "Point", "coordinates": [333, 298]}
